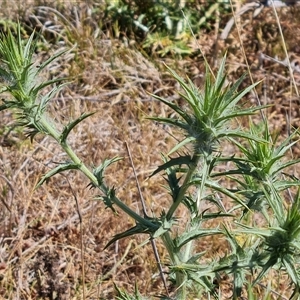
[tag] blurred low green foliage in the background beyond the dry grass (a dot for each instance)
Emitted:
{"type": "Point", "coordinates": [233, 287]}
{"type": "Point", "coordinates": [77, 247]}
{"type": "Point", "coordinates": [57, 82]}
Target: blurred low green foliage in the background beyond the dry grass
{"type": "Point", "coordinates": [164, 26]}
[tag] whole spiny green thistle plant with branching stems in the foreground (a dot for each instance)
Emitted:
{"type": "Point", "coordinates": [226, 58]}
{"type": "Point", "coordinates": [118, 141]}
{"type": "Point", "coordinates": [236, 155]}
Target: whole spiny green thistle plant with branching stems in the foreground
{"type": "Point", "coordinates": [192, 174]}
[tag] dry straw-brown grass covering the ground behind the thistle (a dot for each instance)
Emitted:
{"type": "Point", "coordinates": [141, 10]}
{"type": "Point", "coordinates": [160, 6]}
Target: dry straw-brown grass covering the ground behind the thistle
{"type": "Point", "coordinates": [40, 233]}
